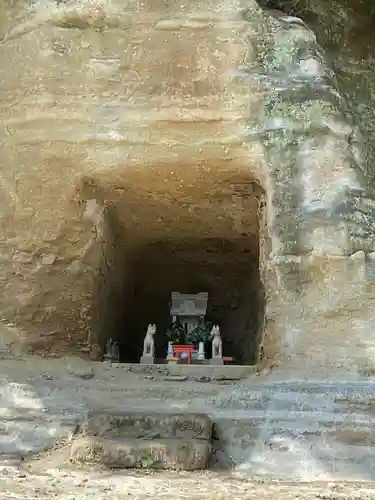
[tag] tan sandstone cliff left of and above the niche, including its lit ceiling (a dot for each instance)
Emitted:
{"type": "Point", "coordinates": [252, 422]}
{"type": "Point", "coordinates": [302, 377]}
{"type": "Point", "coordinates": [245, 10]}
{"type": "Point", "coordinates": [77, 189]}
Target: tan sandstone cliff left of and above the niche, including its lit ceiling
{"type": "Point", "coordinates": [99, 96]}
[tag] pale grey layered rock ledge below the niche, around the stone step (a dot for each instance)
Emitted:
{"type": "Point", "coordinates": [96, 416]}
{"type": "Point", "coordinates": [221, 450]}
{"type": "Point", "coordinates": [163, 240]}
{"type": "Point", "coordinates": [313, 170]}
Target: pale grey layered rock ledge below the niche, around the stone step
{"type": "Point", "coordinates": [266, 426]}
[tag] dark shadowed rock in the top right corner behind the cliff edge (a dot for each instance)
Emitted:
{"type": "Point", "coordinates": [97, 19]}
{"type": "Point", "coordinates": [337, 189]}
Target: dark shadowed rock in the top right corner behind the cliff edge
{"type": "Point", "coordinates": [344, 28]}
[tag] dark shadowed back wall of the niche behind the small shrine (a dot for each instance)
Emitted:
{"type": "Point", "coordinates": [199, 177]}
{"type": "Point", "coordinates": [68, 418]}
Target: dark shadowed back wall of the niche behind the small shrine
{"type": "Point", "coordinates": [228, 270]}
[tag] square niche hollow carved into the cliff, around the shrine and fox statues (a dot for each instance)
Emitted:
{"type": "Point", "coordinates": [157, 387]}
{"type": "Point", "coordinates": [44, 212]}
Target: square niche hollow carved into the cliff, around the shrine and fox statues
{"type": "Point", "coordinates": [157, 244]}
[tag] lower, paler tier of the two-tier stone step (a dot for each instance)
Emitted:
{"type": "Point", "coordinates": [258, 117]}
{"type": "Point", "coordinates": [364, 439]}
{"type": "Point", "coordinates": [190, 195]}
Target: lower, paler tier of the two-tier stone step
{"type": "Point", "coordinates": [175, 454]}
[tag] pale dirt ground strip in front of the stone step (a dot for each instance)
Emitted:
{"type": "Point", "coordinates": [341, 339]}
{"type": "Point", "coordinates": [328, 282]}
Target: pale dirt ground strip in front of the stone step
{"type": "Point", "coordinates": [79, 485]}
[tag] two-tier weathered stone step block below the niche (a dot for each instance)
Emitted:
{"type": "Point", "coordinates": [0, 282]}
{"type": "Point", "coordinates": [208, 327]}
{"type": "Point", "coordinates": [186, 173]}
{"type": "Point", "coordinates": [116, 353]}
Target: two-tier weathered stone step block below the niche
{"type": "Point", "coordinates": [143, 439]}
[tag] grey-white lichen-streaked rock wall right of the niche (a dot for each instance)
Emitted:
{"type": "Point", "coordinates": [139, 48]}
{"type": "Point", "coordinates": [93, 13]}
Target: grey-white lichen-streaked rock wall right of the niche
{"type": "Point", "coordinates": [321, 302]}
